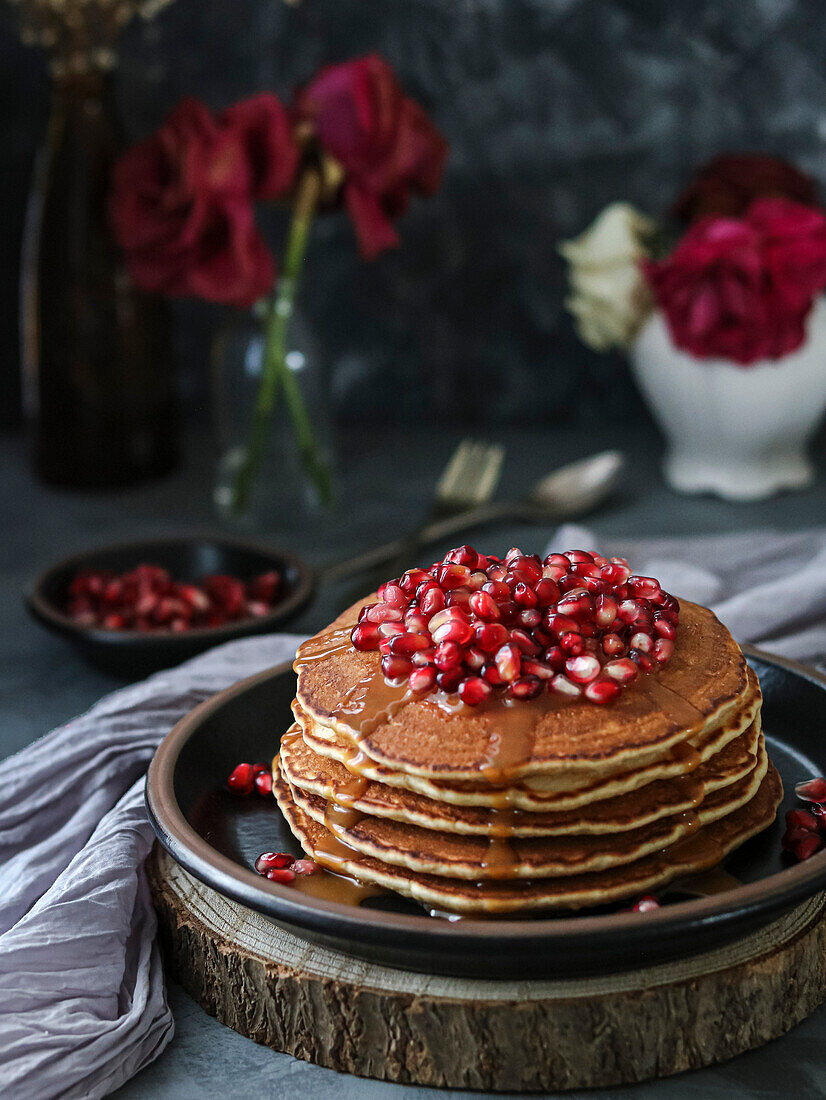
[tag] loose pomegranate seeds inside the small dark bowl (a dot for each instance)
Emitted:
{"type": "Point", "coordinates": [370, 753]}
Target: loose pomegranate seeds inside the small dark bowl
{"type": "Point", "coordinates": [148, 599]}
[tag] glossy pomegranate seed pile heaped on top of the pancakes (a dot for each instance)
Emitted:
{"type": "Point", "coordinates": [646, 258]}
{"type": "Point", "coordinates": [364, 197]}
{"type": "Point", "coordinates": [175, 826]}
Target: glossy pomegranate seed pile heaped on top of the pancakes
{"type": "Point", "coordinates": [577, 624]}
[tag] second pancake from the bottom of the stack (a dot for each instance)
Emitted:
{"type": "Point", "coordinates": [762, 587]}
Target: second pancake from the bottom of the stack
{"type": "Point", "coordinates": [478, 859]}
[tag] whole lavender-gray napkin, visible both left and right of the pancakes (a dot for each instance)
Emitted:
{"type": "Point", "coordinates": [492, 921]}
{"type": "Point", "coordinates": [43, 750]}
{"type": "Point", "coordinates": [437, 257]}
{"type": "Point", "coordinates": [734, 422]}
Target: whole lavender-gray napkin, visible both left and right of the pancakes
{"type": "Point", "coordinates": [82, 994]}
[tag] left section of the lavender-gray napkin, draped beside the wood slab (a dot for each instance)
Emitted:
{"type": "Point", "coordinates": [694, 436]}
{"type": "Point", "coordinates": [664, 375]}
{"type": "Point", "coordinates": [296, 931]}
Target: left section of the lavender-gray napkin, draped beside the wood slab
{"type": "Point", "coordinates": [83, 1006]}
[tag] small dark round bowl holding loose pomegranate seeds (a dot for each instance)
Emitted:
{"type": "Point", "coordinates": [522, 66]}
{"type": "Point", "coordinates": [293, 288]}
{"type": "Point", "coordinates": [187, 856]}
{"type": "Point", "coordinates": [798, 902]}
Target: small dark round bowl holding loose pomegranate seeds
{"type": "Point", "coordinates": [134, 654]}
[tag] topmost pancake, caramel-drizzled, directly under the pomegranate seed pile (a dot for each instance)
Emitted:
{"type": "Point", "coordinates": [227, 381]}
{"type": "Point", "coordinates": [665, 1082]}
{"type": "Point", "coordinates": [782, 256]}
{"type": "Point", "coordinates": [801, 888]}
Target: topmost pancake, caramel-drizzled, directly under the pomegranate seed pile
{"type": "Point", "coordinates": [702, 685]}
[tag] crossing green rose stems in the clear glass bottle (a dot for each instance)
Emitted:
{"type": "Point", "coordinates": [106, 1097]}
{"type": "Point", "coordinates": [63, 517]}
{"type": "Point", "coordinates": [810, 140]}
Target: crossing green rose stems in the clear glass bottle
{"type": "Point", "coordinates": [277, 371]}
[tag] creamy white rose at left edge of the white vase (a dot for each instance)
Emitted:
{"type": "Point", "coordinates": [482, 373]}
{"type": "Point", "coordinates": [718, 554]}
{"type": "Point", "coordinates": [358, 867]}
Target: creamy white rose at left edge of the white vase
{"type": "Point", "coordinates": [610, 299]}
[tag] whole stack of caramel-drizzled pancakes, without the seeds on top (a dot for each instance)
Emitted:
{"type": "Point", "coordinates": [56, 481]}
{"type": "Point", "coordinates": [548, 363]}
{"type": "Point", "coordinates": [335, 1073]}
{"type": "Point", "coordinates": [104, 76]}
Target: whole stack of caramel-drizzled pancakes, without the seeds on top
{"type": "Point", "coordinates": [533, 805]}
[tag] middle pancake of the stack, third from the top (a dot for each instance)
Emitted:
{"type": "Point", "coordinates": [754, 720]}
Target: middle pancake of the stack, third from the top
{"type": "Point", "coordinates": [331, 780]}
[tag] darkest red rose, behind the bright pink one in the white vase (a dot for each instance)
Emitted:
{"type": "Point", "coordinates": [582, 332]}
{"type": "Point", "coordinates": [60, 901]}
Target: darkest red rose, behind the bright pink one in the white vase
{"type": "Point", "coordinates": [730, 184]}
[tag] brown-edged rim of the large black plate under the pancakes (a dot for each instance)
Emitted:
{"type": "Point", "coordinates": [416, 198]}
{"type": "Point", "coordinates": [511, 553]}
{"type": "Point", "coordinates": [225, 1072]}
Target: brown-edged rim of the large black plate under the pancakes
{"type": "Point", "coordinates": [769, 896]}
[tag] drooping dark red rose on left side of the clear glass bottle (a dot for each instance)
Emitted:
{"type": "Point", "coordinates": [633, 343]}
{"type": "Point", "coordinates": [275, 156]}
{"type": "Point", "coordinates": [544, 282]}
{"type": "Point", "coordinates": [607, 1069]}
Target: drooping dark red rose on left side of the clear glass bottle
{"type": "Point", "coordinates": [182, 202]}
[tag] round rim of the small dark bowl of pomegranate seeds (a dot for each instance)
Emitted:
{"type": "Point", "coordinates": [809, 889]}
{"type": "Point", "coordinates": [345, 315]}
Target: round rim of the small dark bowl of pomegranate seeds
{"type": "Point", "coordinates": [51, 617]}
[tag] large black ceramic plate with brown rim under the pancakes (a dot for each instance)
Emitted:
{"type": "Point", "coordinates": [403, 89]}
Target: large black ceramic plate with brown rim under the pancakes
{"type": "Point", "coordinates": [217, 837]}
